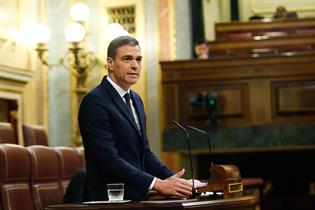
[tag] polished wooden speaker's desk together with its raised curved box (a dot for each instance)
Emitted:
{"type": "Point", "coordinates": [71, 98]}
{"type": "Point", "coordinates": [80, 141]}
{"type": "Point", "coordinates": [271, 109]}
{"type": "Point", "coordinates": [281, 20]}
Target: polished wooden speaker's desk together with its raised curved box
{"type": "Point", "coordinates": [224, 178]}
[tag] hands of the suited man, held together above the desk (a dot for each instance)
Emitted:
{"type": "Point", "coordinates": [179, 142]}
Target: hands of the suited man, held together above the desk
{"type": "Point", "coordinates": [174, 186]}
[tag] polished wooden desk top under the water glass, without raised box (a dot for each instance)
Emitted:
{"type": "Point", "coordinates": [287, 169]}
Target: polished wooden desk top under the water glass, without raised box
{"type": "Point", "coordinates": [248, 202]}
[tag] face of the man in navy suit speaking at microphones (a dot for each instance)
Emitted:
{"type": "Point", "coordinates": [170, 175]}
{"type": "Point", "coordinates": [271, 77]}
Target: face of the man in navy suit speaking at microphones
{"type": "Point", "coordinates": [125, 69]}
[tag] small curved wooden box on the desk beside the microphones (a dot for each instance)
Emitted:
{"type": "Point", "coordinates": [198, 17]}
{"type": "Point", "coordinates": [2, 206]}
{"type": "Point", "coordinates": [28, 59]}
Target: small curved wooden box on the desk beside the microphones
{"type": "Point", "coordinates": [226, 179]}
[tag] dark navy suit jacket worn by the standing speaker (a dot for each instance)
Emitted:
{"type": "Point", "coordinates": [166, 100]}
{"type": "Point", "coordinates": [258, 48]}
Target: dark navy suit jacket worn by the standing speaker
{"type": "Point", "coordinates": [115, 150]}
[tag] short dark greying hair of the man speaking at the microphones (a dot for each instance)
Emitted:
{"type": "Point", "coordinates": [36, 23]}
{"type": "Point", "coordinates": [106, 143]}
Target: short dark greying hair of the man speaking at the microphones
{"type": "Point", "coordinates": [118, 42]}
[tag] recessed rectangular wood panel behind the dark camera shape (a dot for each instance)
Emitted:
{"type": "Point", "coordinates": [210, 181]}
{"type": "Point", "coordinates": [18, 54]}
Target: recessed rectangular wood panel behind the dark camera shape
{"type": "Point", "coordinates": [233, 103]}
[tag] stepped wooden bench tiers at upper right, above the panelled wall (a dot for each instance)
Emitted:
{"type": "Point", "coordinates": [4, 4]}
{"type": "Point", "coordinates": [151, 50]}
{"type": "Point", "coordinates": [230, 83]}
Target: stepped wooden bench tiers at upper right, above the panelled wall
{"type": "Point", "coordinates": [256, 39]}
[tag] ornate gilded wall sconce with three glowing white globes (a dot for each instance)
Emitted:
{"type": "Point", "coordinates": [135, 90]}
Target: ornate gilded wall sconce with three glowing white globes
{"type": "Point", "coordinates": [77, 59]}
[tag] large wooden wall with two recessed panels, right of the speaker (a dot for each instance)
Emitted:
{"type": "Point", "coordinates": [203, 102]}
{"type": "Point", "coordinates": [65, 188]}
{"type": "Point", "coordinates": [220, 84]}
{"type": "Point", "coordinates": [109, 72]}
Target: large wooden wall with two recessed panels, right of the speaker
{"type": "Point", "coordinates": [252, 91]}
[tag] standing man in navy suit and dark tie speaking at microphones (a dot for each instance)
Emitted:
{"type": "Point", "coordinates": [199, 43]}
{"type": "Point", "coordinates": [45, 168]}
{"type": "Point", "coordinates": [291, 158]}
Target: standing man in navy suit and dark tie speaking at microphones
{"type": "Point", "coordinates": [112, 122]}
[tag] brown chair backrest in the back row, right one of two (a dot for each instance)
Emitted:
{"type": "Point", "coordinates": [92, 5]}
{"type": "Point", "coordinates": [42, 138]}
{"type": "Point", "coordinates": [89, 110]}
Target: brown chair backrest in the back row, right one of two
{"type": "Point", "coordinates": [34, 135]}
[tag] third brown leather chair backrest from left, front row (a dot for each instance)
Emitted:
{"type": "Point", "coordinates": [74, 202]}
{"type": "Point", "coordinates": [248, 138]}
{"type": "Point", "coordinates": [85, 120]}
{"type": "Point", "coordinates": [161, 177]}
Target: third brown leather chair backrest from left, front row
{"type": "Point", "coordinates": [71, 163]}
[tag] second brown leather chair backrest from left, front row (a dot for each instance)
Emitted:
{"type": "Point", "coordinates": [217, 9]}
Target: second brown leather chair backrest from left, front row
{"type": "Point", "coordinates": [45, 175]}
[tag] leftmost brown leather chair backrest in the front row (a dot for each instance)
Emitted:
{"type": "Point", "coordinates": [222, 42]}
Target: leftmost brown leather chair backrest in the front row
{"type": "Point", "coordinates": [15, 177]}
